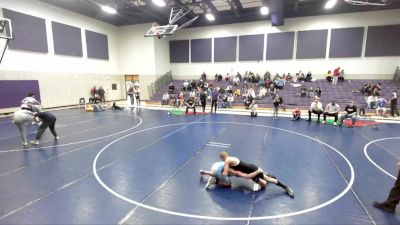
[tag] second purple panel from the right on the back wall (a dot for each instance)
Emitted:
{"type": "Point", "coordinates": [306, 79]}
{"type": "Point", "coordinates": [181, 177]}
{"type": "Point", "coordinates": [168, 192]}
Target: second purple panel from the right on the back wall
{"type": "Point", "coordinates": [346, 42]}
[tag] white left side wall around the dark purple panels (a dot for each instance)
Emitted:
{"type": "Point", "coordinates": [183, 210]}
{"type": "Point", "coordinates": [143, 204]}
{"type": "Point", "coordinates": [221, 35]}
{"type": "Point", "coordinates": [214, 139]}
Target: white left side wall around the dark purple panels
{"type": "Point", "coordinates": [64, 79]}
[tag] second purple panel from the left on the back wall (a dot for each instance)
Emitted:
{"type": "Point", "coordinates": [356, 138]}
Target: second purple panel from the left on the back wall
{"type": "Point", "coordinates": [200, 50]}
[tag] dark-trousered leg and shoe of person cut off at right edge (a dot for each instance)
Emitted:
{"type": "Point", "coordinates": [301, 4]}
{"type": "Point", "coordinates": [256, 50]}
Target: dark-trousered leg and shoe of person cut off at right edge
{"type": "Point", "coordinates": [389, 205]}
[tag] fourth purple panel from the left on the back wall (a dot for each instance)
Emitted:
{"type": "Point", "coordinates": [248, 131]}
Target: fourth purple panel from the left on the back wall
{"type": "Point", "coordinates": [251, 47]}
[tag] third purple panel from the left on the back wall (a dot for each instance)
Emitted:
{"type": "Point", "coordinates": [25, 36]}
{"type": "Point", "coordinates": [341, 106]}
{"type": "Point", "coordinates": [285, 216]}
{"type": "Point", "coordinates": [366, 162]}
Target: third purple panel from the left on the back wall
{"type": "Point", "coordinates": [225, 49]}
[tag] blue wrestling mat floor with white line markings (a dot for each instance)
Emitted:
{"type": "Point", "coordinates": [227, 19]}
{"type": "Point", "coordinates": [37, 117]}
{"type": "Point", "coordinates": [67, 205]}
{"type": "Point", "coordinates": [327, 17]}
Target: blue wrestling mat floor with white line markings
{"type": "Point", "coordinates": [142, 167]}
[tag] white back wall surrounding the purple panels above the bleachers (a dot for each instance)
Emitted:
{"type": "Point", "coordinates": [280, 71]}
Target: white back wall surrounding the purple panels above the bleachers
{"type": "Point", "coordinates": [360, 67]}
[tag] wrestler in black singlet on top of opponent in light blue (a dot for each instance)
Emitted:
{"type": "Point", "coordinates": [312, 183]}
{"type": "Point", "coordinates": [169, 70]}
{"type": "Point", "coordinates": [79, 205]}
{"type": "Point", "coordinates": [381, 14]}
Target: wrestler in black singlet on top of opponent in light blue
{"type": "Point", "coordinates": [262, 179]}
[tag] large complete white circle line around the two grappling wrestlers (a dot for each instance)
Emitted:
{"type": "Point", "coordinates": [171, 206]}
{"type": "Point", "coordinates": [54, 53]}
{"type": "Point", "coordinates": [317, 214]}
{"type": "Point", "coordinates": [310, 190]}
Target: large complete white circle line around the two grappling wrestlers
{"type": "Point", "coordinates": [341, 194]}
